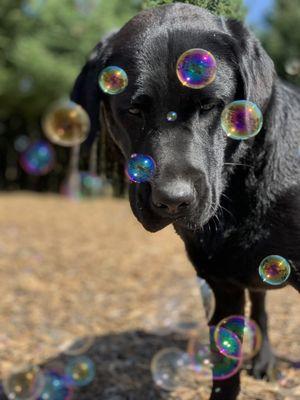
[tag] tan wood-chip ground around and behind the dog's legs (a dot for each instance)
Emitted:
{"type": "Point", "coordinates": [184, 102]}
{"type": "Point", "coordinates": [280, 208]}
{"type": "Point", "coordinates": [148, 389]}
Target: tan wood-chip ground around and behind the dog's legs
{"type": "Point", "coordinates": [69, 269]}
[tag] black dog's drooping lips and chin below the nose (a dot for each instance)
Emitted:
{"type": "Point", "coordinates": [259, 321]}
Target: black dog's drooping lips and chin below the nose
{"type": "Point", "coordinates": [153, 221]}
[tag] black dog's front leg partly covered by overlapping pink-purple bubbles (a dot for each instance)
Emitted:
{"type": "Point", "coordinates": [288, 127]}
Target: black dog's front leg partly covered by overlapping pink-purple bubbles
{"type": "Point", "coordinates": [230, 300]}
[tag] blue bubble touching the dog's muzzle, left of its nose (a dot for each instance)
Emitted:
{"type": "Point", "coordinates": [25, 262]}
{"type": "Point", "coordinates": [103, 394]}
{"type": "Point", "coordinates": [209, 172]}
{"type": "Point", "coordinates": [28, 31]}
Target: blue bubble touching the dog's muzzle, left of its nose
{"type": "Point", "coordinates": [140, 168]}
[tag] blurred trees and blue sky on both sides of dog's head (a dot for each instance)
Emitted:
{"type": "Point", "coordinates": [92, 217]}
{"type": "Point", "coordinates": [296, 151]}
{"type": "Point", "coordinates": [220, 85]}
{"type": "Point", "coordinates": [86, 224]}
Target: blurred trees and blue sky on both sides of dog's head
{"type": "Point", "coordinates": [44, 44]}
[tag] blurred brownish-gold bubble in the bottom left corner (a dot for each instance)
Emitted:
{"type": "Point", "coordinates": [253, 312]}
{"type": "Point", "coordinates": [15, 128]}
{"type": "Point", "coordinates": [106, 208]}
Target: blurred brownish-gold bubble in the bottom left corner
{"type": "Point", "coordinates": [24, 385]}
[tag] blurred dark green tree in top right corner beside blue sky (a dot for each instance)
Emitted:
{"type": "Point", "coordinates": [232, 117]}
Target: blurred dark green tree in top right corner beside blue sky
{"type": "Point", "coordinates": [282, 39]}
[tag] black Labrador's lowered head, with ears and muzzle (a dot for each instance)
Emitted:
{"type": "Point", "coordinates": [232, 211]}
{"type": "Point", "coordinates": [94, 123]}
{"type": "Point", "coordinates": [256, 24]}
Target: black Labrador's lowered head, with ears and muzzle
{"type": "Point", "coordinates": [190, 153]}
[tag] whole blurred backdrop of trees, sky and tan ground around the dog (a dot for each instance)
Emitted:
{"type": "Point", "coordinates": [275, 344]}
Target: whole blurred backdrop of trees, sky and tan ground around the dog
{"type": "Point", "coordinates": [83, 278]}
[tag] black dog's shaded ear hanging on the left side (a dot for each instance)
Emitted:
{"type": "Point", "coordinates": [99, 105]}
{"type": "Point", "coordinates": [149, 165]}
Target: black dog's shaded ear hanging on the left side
{"type": "Point", "coordinates": [87, 93]}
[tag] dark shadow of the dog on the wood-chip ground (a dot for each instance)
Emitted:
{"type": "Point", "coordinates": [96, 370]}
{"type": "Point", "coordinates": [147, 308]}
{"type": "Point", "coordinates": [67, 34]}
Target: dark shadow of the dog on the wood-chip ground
{"type": "Point", "coordinates": [122, 363]}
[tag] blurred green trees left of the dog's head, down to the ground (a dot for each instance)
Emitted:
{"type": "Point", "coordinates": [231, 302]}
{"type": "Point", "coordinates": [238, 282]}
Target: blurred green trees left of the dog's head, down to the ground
{"type": "Point", "coordinates": [43, 46]}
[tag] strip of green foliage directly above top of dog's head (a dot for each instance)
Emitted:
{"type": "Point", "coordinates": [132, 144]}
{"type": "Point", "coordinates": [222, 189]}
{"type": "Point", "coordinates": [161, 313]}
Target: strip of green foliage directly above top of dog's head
{"type": "Point", "coordinates": [228, 8]}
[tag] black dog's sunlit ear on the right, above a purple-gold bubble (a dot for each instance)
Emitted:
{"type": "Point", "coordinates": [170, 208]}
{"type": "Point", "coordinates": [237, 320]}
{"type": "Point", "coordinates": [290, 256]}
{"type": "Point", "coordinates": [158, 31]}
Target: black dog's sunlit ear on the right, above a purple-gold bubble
{"type": "Point", "coordinates": [255, 66]}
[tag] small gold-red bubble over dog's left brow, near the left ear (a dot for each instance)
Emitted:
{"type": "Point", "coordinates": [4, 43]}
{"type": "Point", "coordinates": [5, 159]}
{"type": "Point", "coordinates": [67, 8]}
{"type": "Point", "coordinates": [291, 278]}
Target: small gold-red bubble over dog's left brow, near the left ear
{"type": "Point", "coordinates": [113, 80]}
